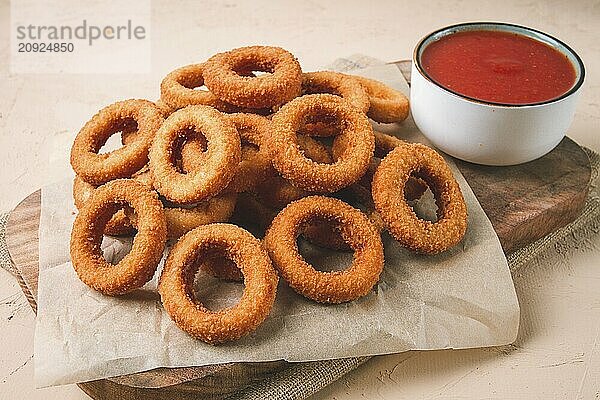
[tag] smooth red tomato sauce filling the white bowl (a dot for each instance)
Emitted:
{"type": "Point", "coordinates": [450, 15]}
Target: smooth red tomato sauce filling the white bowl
{"type": "Point", "coordinates": [498, 67]}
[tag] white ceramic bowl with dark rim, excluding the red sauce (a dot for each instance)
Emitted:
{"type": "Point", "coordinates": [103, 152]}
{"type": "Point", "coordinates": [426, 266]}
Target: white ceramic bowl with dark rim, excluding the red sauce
{"type": "Point", "coordinates": [491, 133]}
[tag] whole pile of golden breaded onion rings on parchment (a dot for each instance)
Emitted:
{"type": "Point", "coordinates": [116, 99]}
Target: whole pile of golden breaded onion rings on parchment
{"type": "Point", "coordinates": [248, 142]}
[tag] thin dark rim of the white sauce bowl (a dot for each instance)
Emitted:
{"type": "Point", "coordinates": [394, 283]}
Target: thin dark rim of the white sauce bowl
{"type": "Point", "coordinates": [575, 88]}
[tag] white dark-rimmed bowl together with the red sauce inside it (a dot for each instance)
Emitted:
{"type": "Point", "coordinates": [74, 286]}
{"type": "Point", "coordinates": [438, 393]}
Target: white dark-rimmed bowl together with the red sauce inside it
{"type": "Point", "coordinates": [494, 93]}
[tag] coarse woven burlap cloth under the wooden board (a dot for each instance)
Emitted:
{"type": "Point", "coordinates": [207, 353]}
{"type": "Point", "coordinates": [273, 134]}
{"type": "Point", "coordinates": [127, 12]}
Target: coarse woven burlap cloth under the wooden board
{"type": "Point", "coordinates": [303, 379]}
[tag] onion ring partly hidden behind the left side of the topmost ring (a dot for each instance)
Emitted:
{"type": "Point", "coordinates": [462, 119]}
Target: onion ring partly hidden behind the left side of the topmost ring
{"type": "Point", "coordinates": [178, 90]}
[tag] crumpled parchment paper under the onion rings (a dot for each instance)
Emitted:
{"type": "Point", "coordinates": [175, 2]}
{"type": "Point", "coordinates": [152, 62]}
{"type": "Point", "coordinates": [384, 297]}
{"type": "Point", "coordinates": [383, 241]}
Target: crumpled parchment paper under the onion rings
{"type": "Point", "coordinates": [462, 298]}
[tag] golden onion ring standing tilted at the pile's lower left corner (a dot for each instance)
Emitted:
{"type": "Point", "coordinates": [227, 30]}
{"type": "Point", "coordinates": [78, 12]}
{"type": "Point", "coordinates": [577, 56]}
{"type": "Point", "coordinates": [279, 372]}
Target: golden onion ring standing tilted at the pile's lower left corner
{"type": "Point", "coordinates": [137, 267]}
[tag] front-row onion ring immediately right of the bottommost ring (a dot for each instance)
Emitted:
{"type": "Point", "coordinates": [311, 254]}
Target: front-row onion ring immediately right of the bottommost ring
{"type": "Point", "coordinates": [357, 231]}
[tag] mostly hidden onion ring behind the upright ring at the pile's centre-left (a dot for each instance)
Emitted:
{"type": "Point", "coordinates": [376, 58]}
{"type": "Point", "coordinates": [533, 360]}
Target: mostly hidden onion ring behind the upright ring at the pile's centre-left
{"type": "Point", "coordinates": [255, 165]}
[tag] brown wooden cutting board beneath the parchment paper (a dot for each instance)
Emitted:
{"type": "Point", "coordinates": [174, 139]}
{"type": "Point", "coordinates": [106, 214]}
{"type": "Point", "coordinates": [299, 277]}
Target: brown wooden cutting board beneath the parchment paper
{"type": "Point", "coordinates": [524, 203]}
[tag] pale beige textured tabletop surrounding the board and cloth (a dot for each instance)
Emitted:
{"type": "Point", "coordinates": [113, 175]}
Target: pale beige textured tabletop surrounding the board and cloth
{"type": "Point", "coordinates": [556, 355]}
